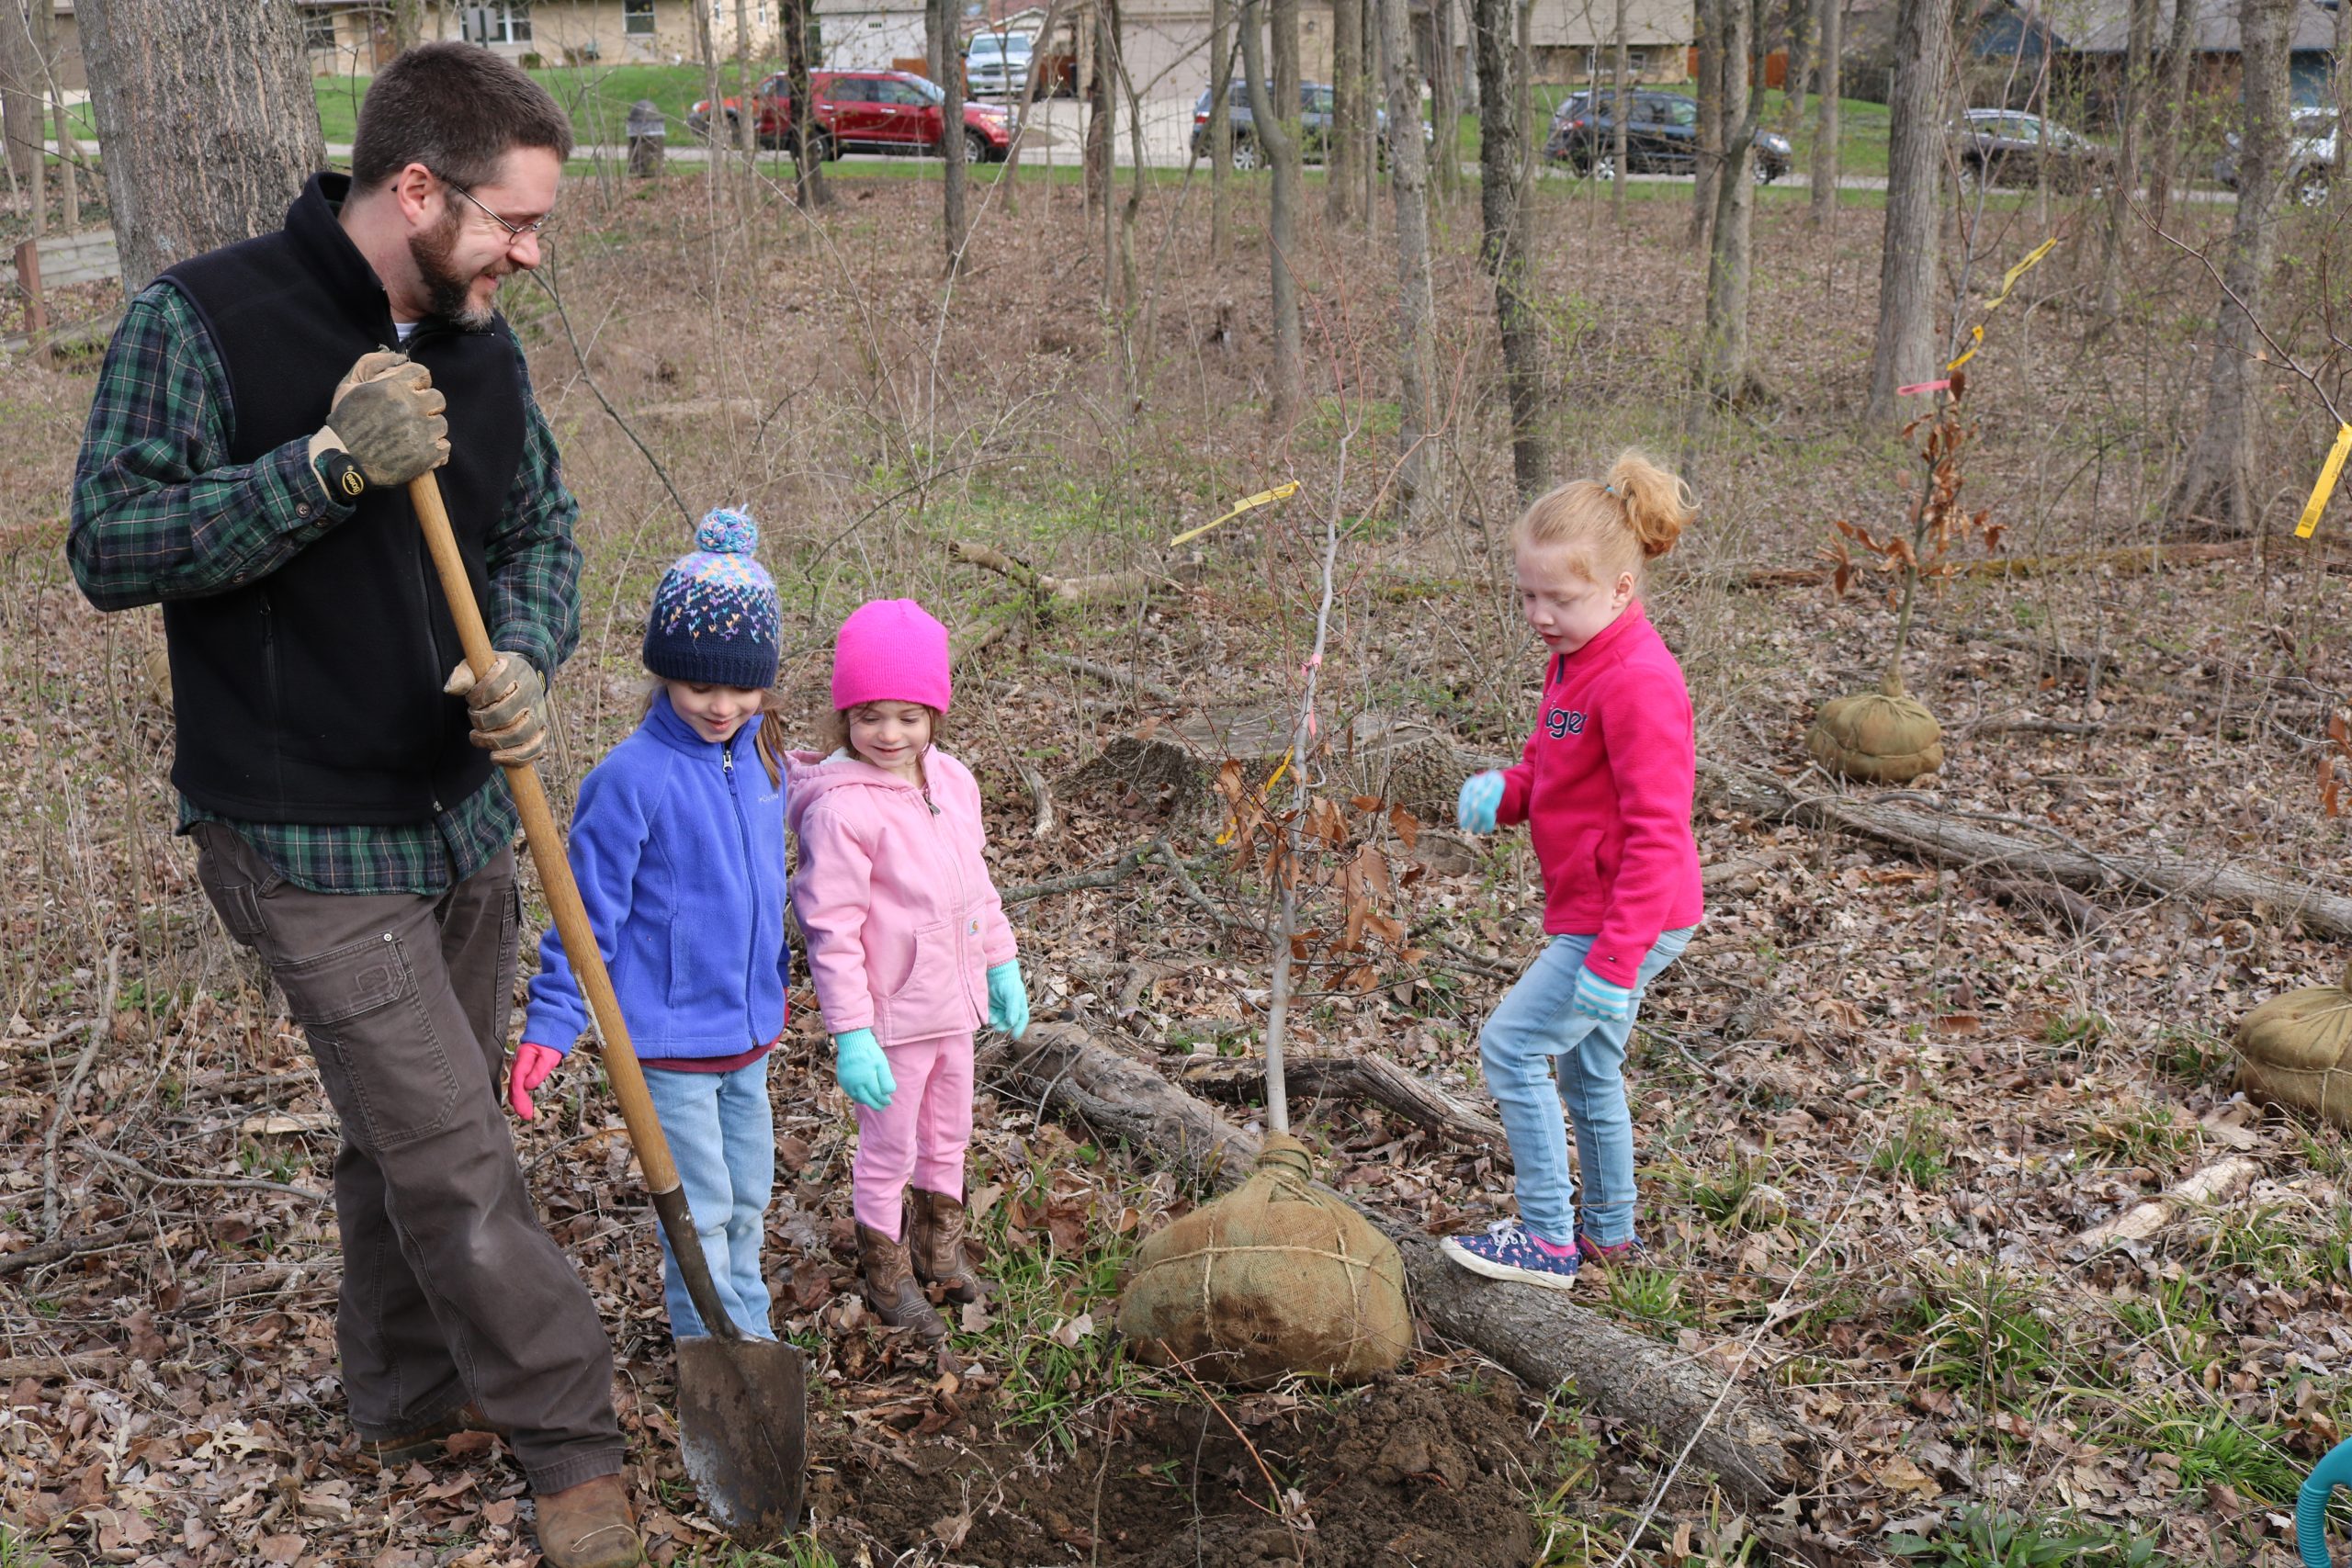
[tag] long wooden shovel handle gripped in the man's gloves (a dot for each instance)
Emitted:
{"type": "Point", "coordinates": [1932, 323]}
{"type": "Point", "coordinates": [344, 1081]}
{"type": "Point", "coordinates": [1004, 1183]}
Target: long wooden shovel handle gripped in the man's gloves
{"type": "Point", "coordinates": [580, 939]}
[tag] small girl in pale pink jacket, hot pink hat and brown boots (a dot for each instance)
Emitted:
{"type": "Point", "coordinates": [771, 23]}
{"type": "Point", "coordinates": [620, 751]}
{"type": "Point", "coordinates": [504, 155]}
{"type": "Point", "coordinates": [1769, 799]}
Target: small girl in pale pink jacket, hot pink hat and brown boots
{"type": "Point", "coordinates": [909, 949]}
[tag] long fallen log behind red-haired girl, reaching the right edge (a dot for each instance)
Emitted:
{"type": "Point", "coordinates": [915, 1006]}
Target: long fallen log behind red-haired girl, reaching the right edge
{"type": "Point", "coordinates": [1953, 840]}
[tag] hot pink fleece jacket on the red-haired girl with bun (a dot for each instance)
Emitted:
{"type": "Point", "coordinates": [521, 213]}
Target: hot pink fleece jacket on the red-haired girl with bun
{"type": "Point", "coordinates": [1605, 786]}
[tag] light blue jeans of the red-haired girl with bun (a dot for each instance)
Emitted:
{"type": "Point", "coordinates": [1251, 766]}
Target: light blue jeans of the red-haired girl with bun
{"type": "Point", "coordinates": [1518, 1047]}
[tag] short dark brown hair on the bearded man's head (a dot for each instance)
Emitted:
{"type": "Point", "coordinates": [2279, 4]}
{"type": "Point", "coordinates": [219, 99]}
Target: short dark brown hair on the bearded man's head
{"type": "Point", "coordinates": [460, 112]}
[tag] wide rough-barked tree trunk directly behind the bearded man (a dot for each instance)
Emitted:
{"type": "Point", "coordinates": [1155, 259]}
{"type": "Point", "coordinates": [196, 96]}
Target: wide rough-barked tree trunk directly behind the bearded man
{"type": "Point", "coordinates": [239, 72]}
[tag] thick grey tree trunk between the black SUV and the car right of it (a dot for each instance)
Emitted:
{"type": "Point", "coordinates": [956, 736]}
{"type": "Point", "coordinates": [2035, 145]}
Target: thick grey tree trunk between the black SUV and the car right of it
{"type": "Point", "coordinates": [1906, 344]}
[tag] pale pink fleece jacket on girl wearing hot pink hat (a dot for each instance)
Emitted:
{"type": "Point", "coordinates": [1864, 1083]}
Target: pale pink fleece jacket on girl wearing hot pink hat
{"type": "Point", "coordinates": [895, 899]}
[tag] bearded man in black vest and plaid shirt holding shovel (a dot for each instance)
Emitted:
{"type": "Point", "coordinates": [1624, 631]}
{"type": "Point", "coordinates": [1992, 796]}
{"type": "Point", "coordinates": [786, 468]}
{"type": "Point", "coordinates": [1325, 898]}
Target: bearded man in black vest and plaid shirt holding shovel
{"type": "Point", "coordinates": [248, 464]}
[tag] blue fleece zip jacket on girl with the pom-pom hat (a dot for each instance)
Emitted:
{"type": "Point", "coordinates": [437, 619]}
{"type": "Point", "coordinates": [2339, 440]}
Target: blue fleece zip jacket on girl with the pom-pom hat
{"type": "Point", "coordinates": [679, 850]}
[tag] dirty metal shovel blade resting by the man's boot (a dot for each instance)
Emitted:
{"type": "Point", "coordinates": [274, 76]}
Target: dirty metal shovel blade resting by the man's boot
{"type": "Point", "coordinates": [742, 1421]}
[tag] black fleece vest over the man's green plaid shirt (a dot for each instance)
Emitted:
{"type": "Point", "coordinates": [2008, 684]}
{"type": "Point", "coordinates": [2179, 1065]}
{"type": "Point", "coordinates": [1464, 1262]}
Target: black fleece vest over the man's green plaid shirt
{"type": "Point", "coordinates": [314, 695]}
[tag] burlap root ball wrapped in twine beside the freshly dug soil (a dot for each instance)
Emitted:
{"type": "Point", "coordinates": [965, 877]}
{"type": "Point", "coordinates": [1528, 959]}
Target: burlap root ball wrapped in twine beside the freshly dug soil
{"type": "Point", "coordinates": [1276, 1278]}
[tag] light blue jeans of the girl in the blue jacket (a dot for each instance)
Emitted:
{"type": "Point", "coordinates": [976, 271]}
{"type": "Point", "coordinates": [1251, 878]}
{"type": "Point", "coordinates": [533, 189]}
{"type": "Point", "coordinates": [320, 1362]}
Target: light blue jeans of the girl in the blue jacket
{"type": "Point", "coordinates": [723, 1139]}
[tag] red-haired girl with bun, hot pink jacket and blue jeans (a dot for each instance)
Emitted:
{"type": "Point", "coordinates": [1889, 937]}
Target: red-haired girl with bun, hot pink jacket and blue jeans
{"type": "Point", "coordinates": [1605, 786]}
